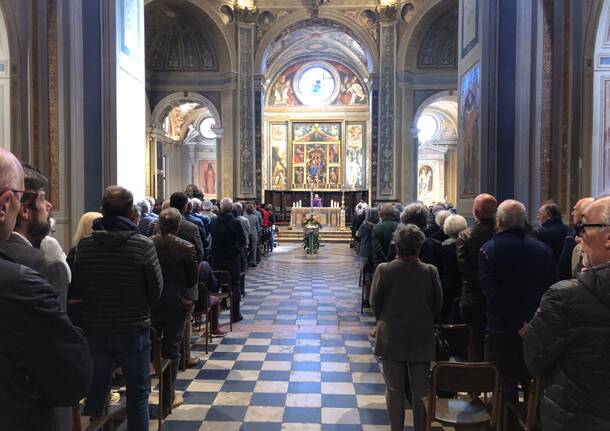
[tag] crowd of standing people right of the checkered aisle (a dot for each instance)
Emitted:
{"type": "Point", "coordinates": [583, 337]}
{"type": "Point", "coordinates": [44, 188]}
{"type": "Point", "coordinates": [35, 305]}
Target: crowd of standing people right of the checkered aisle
{"type": "Point", "coordinates": [537, 300]}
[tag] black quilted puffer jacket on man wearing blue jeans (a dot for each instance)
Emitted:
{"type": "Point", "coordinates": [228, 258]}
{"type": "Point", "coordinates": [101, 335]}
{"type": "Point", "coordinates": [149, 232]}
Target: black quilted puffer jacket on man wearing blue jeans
{"type": "Point", "coordinates": [117, 275]}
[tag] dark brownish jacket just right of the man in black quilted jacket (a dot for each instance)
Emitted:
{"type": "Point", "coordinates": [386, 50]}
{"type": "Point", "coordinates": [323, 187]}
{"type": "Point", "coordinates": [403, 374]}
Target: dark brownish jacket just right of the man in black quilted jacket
{"type": "Point", "coordinates": [179, 266]}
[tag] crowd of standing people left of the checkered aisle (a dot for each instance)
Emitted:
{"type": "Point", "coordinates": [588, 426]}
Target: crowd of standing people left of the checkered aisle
{"type": "Point", "coordinates": [133, 266]}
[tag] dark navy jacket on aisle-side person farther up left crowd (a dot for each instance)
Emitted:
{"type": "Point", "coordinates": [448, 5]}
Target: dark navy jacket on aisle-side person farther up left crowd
{"type": "Point", "coordinates": [227, 238]}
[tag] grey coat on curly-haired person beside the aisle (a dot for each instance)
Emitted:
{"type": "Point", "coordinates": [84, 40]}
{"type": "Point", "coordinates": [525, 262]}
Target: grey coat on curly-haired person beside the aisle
{"type": "Point", "coordinates": [406, 296]}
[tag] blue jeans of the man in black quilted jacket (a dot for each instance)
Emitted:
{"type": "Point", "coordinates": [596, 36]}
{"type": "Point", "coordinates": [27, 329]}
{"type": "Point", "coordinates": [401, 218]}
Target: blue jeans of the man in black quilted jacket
{"type": "Point", "coordinates": [132, 353]}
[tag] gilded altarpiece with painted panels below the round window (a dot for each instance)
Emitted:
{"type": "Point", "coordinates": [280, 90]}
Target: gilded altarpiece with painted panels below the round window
{"type": "Point", "coordinates": [316, 156]}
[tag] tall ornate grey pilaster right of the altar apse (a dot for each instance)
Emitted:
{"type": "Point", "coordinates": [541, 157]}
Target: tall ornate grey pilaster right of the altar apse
{"type": "Point", "coordinates": [386, 148]}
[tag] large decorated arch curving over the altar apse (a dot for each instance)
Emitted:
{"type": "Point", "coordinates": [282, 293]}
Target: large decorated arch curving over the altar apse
{"type": "Point", "coordinates": [294, 18]}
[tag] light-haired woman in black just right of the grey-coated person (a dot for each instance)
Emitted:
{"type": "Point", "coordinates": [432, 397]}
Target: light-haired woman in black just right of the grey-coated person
{"type": "Point", "coordinates": [451, 279]}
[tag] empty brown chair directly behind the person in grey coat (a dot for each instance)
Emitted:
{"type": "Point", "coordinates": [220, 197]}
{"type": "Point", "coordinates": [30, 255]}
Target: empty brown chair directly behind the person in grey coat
{"type": "Point", "coordinates": [472, 378]}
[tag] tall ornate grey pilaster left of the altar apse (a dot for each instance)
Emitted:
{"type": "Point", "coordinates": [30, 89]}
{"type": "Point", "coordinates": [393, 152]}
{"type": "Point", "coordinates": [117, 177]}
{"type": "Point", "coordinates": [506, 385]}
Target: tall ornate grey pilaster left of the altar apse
{"type": "Point", "coordinates": [246, 151]}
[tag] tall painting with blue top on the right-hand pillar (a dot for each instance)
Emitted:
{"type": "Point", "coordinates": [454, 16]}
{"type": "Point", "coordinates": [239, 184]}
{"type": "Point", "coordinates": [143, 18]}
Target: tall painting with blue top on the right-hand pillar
{"type": "Point", "coordinates": [470, 112]}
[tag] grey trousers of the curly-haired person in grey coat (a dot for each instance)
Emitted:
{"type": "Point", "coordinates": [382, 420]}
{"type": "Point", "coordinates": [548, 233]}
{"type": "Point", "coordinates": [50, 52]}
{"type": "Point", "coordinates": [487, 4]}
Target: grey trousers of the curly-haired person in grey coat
{"type": "Point", "coordinates": [395, 374]}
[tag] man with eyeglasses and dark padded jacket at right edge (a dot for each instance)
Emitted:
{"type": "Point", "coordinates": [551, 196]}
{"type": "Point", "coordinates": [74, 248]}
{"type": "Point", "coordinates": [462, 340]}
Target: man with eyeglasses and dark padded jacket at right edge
{"type": "Point", "coordinates": [568, 340]}
